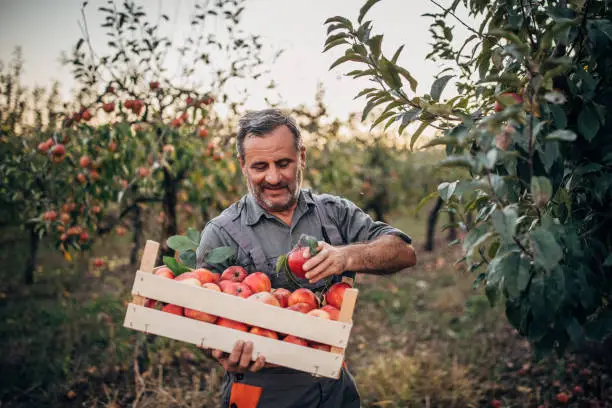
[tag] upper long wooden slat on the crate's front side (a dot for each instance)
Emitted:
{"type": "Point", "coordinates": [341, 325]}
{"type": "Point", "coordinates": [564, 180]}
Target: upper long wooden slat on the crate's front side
{"type": "Point", "coordinates": [247, 311]}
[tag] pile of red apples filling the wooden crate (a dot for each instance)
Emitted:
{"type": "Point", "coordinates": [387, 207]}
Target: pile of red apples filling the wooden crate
{"type": "Point", "coordinates": [255, 286]}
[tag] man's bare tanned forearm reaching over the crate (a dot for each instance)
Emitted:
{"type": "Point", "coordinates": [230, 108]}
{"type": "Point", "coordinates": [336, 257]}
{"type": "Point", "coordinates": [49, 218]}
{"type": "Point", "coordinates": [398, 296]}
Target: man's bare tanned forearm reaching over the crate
{"type": "Point", "coordinates": [385, 255]}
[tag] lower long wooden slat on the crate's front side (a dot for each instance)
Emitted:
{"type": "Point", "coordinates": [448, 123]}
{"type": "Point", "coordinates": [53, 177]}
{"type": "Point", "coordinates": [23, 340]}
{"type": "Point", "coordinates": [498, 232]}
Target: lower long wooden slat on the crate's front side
{"type": "Point", "coordinates": [207, 335]}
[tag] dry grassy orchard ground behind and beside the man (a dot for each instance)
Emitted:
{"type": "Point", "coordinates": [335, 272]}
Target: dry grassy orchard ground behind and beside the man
{"type": "Point", "coordinates": [422, 338]}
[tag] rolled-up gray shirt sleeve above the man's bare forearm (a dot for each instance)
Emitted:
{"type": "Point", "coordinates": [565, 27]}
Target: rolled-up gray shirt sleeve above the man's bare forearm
{"type": "Point", "coordinates": [358, 226]}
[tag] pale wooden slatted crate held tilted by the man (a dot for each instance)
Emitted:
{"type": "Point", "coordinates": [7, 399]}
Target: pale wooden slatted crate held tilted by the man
{"type": "Point", "coordinates": [253, 313]}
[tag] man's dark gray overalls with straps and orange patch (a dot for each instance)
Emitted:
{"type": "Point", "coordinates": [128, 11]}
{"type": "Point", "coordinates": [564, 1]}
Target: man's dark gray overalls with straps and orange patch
{"type": "Point", "coordinates": [280, 387]}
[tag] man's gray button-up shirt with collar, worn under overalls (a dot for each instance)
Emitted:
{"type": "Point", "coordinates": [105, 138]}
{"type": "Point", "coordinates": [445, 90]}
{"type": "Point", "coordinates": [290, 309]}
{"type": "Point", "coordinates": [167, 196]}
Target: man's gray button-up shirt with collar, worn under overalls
{"type": "Point", "coordinates": [276, 238]}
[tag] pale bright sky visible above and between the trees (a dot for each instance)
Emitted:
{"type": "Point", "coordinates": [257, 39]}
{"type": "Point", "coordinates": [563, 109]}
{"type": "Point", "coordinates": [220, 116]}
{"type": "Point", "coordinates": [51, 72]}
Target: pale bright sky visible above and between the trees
{"type": "Point", "coordinates": [45, 29]}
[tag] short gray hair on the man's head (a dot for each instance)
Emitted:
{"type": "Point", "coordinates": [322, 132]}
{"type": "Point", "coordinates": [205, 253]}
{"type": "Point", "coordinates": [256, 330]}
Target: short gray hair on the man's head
{"type": "Point", "coordinates": [260, 123]}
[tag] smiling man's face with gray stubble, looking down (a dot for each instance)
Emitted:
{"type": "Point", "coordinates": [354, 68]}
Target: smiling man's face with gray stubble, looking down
{"type": "Point", "coordinates": [273, 169]}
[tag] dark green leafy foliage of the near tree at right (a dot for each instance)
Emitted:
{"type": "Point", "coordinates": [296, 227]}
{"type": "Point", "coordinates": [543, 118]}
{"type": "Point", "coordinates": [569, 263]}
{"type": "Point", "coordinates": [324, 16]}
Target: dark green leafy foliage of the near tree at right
{"type": "Point", "coordinates": [530, 123]}
